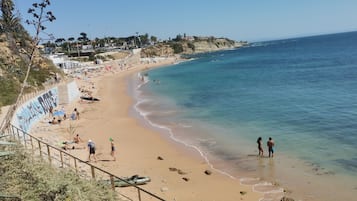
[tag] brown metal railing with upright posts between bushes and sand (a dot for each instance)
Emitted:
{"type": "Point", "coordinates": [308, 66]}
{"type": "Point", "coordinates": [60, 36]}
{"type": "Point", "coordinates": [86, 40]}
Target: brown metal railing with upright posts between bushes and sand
{"type": "Point", "coordinates": [61, 158]}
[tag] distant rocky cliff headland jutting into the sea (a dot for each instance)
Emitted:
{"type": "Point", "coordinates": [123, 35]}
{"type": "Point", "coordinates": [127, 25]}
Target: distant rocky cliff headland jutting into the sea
{"type": "Point", "coordinates": [192, 46]}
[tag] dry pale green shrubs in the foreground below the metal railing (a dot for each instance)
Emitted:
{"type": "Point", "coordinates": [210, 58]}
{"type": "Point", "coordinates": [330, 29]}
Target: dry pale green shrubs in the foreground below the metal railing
{"type": "Point", "coordinates": [29, 180]}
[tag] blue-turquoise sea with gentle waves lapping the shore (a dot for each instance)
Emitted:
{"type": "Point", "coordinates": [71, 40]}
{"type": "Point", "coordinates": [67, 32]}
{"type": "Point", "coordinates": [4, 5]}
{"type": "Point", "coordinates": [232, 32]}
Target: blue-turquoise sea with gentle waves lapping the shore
{"type": "Point", "coordinates": [301, 92]}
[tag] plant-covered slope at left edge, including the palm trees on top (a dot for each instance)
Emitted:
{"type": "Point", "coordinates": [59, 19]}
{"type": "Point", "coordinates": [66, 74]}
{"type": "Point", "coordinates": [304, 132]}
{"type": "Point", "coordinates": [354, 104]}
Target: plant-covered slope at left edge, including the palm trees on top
{"type": "Point", "coordinates": [16, 47]}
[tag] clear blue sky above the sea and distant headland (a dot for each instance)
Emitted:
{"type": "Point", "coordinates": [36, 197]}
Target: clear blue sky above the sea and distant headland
{"type": "Point", "coordinates": [252, 20]}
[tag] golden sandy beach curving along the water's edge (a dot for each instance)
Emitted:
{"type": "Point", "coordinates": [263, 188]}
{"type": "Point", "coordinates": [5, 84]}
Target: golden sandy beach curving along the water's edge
{"type": "Point", "coordinates": [180, 175]}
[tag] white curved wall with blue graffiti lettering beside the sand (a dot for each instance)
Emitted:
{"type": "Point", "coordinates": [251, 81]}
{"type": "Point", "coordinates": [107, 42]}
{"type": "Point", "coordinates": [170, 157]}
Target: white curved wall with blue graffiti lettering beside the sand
{"type": "Point", "coordinates": [35, 109]}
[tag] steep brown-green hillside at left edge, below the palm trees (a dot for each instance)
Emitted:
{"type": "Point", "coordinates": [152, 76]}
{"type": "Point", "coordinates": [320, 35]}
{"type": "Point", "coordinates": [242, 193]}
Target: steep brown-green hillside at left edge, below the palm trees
{"type": "Point", "coordinates": [14, 59]}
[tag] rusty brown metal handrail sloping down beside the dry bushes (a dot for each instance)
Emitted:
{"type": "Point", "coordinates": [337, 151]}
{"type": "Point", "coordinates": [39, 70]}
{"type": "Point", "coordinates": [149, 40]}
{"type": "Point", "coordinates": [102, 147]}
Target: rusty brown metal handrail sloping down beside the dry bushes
{"type": "Point", "coordinates": [15, 132]}
